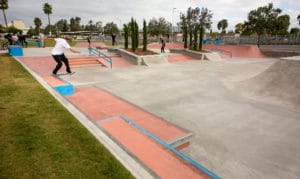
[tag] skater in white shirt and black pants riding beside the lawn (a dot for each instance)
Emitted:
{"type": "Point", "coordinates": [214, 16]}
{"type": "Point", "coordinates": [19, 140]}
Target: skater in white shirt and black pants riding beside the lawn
{"type": "Point", "coordinates": [59, 56]}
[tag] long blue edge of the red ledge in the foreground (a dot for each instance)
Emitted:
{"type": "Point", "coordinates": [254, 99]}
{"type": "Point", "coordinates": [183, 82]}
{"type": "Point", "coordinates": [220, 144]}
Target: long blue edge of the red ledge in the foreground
{"type": "Point", "coordinates": [186, 158]}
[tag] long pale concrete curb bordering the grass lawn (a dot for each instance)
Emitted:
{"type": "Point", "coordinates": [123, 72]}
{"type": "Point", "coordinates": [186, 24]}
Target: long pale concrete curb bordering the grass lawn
{"type": "Point", "coordinates": [131, 164]}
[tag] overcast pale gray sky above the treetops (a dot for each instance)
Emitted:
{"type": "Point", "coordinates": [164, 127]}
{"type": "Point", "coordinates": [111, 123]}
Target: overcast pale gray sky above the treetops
{"type": "Point", "coordinates": [121, 11]}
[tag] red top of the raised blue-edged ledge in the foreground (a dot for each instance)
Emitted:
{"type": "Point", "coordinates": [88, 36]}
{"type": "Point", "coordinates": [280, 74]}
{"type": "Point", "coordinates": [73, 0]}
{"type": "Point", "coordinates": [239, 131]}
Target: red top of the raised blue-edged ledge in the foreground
{"type": "Point", "coordinates": [158, 158]}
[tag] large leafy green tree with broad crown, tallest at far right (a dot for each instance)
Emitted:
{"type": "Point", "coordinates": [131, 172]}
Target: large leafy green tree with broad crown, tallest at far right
{"type": "Point", "coordinates": [262, 20]}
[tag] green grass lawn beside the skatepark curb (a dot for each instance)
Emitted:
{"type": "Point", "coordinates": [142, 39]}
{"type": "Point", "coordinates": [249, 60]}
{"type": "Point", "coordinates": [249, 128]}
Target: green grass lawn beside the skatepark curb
{"type": "Point", "coordinates": [40, 138]}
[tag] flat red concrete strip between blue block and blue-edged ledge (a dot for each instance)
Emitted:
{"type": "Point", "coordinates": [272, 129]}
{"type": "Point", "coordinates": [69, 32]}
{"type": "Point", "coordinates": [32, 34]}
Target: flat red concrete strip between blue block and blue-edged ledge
{"type": "Point", "coordinates": [98, 104]}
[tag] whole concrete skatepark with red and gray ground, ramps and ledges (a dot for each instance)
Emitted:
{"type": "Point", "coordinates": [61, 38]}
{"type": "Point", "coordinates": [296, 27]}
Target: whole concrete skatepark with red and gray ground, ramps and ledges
{"type": "Point", "coordinates": [232, 117]}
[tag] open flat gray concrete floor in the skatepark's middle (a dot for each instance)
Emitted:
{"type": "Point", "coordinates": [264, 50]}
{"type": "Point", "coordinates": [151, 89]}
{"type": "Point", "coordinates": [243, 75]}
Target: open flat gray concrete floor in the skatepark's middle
{"type": "Point", "coordinates": [234, 136]}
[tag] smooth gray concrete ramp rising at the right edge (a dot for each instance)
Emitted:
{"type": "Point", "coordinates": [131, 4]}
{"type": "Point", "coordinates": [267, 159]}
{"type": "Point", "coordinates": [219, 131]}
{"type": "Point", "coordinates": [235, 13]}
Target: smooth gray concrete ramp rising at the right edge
{"type": "Point", "coordinates": [279, 84]}
